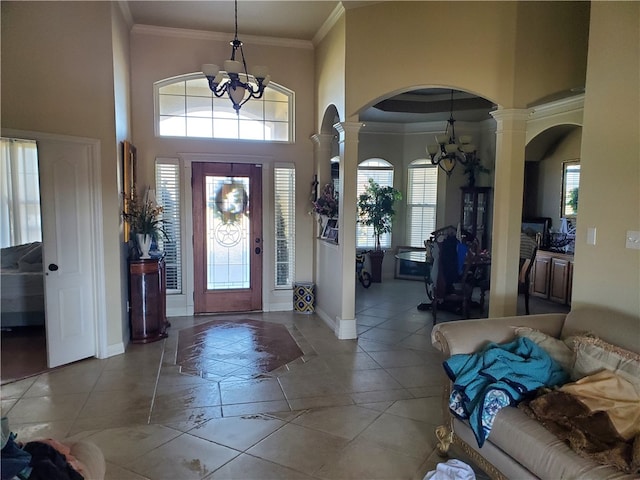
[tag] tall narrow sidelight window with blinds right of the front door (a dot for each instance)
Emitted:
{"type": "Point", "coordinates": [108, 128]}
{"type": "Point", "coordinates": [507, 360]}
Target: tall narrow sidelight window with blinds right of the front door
{"type": "Point", "coordinates": [284, 203]}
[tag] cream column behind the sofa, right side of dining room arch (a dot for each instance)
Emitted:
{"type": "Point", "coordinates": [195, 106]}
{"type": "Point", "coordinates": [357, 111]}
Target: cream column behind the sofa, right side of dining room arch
{"type": "Point", "coordinates": [507, 210]}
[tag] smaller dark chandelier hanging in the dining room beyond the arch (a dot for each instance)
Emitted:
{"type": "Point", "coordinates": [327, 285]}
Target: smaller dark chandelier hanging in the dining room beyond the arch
{"type": "Point", "coordinates": [448, 151]}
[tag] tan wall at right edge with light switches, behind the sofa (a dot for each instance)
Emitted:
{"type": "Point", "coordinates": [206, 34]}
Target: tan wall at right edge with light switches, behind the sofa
{"type": "Point", "coordinates": [608, 273]}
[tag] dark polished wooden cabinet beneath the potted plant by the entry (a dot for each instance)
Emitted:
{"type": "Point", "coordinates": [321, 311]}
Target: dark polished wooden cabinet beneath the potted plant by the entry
{"type": "Point", "coordinates": [147, 300]}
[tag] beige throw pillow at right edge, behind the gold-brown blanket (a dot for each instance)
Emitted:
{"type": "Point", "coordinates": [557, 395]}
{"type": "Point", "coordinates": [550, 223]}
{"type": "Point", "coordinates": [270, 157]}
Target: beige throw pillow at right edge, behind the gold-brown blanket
{"type": "Point", "coordinates": [594, 355]}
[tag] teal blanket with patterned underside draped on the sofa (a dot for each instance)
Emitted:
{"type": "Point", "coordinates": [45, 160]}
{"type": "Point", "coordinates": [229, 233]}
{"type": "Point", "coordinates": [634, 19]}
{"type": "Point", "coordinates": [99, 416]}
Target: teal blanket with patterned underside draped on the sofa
{"type": "Point", "coordinates": [497, 376]}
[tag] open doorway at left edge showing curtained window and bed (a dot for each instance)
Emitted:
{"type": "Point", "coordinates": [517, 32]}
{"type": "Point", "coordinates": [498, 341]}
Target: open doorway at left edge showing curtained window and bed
{"type": "Point", "coordinates": [23, 335]}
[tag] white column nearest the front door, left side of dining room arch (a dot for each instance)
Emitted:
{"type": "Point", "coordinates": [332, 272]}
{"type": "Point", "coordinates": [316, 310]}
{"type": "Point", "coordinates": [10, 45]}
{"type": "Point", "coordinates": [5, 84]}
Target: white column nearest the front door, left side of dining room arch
{"type": "Point", "coordinates": [349, 135]}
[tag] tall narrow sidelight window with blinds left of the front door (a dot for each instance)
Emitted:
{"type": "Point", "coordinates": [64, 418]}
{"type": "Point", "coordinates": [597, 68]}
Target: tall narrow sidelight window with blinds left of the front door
{"type": "Point", "coordinates": [168, 196]}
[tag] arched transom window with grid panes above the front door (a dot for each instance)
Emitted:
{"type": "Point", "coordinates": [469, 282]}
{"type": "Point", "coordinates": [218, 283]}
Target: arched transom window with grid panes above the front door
{"type": "Point", "coordinates": [186, 107]}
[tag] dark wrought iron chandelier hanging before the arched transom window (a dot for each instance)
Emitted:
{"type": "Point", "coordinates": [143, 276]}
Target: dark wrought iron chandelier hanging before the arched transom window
{"type": "Point", "coordinates": [237, 83]}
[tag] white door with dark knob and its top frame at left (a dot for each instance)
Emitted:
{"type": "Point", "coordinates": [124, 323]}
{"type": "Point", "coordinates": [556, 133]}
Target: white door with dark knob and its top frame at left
{"type": "Point", "coordinates": [71, 257]}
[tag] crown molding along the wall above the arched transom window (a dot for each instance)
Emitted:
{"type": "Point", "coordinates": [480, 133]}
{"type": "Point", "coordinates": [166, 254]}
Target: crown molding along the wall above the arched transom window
{"type": "Point", "coordinates": [141, 29]}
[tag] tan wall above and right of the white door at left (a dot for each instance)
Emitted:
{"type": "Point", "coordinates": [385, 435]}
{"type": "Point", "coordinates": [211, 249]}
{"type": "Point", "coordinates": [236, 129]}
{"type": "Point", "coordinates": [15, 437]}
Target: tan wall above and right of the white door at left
{"type": "Point", "coordinates": [58, 77]}
